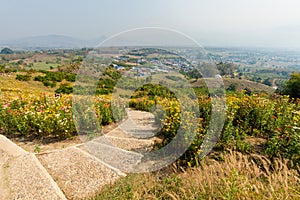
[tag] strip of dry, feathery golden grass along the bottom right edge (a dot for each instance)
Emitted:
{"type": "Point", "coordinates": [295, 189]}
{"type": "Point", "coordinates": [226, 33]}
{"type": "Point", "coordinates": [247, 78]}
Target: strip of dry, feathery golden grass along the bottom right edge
{"type": "Point", "coordinates": [236, 177]}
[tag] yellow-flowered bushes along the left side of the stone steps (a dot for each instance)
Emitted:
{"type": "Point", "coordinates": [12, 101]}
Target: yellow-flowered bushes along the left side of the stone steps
{"type": "Point", "coordinates": [43, 115]}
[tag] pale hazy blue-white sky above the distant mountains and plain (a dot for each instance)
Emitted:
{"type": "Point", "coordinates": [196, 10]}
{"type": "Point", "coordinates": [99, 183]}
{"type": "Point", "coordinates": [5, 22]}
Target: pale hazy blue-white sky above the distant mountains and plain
{"type": "Point", "coordinates": [210, 22]}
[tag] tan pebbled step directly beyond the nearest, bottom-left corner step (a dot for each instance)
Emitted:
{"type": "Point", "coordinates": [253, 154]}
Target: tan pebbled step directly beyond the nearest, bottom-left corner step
{"type": "Point", "coordinates": [78, 174]}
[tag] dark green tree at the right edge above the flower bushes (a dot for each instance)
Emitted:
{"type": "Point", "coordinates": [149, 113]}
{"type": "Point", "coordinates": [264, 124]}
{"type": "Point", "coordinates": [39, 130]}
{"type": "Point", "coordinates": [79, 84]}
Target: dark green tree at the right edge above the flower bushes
{"type": "Point", "coordinates": [292, 86]}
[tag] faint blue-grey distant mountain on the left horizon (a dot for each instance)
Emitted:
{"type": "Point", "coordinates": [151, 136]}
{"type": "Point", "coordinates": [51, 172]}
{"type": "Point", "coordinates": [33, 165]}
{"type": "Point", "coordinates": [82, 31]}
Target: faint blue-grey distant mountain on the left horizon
{"type": "Point", "coordinates": [51, 42]}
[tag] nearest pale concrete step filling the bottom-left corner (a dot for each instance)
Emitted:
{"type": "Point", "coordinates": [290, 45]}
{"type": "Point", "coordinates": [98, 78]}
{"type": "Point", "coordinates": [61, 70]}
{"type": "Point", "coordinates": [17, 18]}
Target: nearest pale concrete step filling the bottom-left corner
{"type": "Point", "coordinates": [23, 177]}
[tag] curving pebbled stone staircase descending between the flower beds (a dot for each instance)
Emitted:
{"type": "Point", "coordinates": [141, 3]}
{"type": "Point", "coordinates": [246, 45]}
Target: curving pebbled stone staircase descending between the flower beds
{"type": "Point", "coordinates": [76, 172]}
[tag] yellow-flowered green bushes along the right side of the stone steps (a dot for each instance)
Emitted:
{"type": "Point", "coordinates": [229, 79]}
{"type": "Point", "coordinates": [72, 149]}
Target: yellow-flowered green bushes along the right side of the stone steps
{"type": "Point", "coordinates": [277, 121]}
